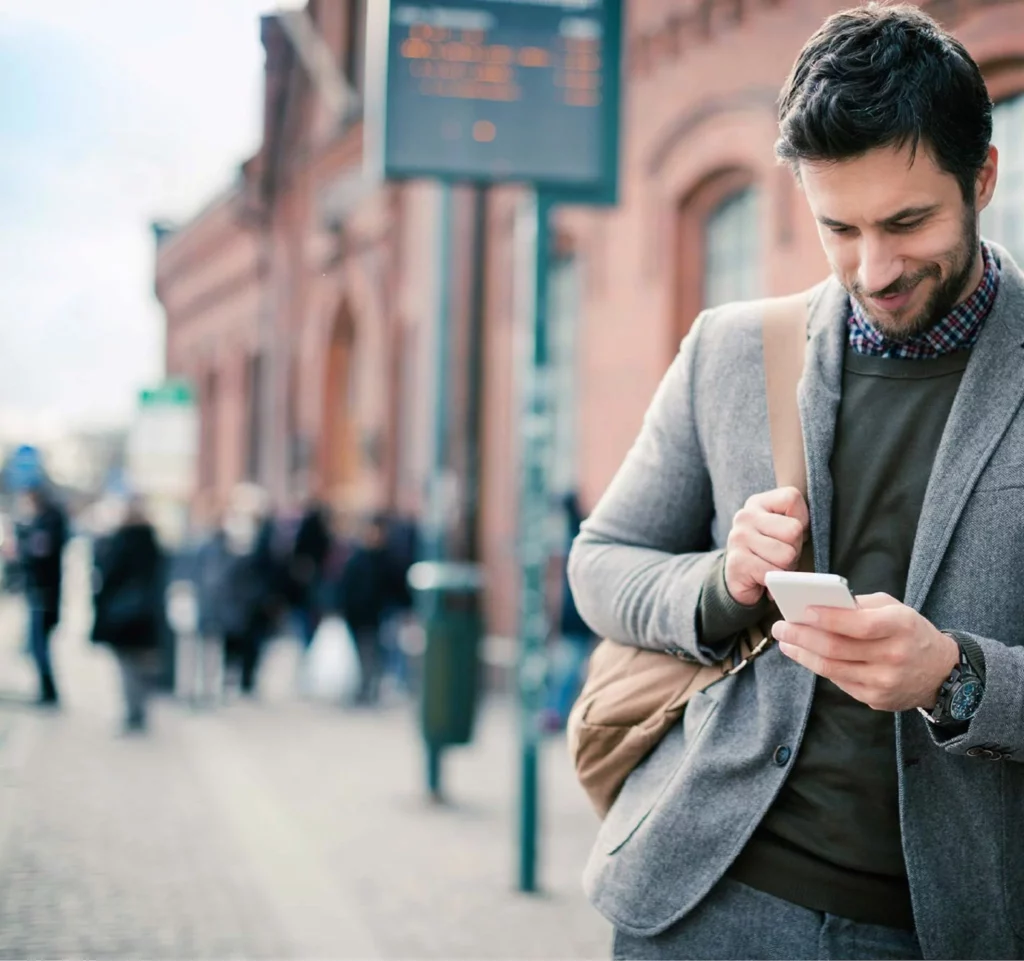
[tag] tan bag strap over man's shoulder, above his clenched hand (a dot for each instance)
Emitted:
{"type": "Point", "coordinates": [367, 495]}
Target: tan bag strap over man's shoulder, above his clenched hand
{"type": "Point", "coordinates": [785, 337]}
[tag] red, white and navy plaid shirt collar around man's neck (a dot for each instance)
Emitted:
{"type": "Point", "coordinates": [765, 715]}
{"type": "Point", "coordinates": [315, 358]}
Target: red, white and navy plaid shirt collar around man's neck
{"type": "Point", "coordinates": [959, 330]}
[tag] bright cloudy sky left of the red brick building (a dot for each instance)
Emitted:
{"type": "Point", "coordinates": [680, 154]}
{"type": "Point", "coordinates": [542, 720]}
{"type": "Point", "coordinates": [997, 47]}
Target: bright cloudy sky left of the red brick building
{"type": "Point", "coordinates": [113, 113]}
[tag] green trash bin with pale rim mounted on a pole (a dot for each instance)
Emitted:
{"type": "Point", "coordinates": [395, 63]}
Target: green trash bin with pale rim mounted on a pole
{"type": "Point", "coordinates": [448, 601]}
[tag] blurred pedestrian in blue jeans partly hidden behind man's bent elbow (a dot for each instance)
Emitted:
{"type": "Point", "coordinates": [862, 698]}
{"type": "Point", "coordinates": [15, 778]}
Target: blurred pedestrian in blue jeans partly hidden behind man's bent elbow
{"type": "Point", "coordinates": [575, 641]}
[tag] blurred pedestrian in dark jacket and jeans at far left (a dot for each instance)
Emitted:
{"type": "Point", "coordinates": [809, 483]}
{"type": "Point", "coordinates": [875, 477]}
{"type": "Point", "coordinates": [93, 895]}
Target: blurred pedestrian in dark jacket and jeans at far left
{"type": "Point", "coordinates": [42, 538]}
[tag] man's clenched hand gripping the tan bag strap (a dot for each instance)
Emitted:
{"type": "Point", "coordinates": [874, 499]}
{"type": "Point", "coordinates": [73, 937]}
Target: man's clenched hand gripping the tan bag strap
{"type": "Point", "coordinates": [767, 534]}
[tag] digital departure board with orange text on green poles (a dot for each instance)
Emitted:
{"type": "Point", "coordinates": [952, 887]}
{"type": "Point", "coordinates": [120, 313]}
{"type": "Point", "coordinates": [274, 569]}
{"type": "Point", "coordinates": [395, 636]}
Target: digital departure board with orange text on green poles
{"type": "Point", "coordinates": [505, 91]}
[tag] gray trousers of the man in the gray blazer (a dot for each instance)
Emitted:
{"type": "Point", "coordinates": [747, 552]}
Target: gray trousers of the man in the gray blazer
{"type": "Point", "coordinates": [738, 923]}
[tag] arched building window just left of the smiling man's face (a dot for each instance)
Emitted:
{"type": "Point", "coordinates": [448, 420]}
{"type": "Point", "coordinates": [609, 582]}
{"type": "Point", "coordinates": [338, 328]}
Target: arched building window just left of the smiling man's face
{"type": "Point", "coordinates": [733, 250]}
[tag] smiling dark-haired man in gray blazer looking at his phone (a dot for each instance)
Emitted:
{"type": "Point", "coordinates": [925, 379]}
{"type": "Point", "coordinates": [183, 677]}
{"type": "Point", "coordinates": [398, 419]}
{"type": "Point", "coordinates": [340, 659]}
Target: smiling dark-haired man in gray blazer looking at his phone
{"type": "Point", "coordinates": [858, 791]}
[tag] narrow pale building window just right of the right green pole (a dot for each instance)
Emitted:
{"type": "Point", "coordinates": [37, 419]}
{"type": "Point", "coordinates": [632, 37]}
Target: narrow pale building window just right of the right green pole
{"type": "Point", "coordinates": [565, 290]}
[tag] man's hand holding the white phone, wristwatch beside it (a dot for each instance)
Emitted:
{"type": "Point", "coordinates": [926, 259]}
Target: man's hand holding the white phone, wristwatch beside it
{"type": "Point", "coordinates": [886, 655]}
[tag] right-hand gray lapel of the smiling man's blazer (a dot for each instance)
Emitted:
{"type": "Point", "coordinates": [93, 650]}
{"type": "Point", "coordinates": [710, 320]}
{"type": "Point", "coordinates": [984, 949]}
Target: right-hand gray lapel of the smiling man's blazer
{"type": "Point", "coordinates": [989, 399]}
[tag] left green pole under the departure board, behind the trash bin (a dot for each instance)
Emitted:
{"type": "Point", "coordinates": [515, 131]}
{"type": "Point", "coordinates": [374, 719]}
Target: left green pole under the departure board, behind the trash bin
{"type": "Point", "coordinates": [436, 541]}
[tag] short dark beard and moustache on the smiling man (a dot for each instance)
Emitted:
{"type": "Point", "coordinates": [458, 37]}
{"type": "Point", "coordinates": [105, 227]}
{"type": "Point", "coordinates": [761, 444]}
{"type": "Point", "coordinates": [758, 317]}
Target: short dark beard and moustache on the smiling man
{"type": "Point", "coordinates": [903, 326]}
